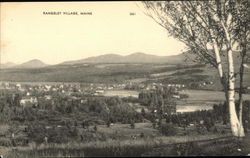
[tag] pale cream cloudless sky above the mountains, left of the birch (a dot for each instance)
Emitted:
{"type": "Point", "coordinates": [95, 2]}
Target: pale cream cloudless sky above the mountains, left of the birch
{"type": "Point", "coordinates": [28, 33]}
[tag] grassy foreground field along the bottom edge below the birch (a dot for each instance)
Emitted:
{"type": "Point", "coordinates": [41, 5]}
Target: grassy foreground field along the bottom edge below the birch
{"type": "Point", "coordinates": [199, 145]}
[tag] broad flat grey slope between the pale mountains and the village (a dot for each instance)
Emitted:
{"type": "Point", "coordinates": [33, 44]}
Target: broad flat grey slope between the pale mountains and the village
{"type": "Point", "coordinates": [101, 73]}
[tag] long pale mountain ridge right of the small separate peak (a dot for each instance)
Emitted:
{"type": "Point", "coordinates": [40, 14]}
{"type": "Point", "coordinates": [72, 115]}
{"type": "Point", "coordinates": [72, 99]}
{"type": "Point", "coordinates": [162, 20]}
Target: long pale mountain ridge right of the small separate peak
{"type": "Point", "coordinates": [132, 58]}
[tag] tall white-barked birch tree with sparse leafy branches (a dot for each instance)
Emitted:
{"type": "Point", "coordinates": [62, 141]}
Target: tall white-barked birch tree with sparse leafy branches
{"type": "Point", "coordinates": [204, 26]}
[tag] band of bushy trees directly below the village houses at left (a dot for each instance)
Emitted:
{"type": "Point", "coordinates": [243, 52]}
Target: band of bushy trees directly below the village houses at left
{"type": "Point", "coordinates": [113, 109]}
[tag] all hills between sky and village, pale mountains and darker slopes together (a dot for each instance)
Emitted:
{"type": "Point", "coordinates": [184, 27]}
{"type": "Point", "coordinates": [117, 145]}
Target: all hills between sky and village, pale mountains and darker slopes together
{"type": "Point", "coordinates": [112, 68]}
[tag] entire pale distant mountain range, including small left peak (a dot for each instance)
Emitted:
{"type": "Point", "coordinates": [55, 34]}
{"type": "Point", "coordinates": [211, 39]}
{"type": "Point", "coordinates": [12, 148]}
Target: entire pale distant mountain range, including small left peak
{"type": "Point", "coordinates": [107, 58]}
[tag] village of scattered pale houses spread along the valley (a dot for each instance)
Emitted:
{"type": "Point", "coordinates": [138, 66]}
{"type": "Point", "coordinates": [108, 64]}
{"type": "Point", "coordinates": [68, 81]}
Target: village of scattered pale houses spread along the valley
{"type": "Point", "coordinates": [31, 95]}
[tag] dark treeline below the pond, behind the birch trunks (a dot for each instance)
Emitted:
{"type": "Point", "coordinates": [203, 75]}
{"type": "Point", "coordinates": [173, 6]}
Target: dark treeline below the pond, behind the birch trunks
{"type": "Point", "coordinates": [207, 119]}
